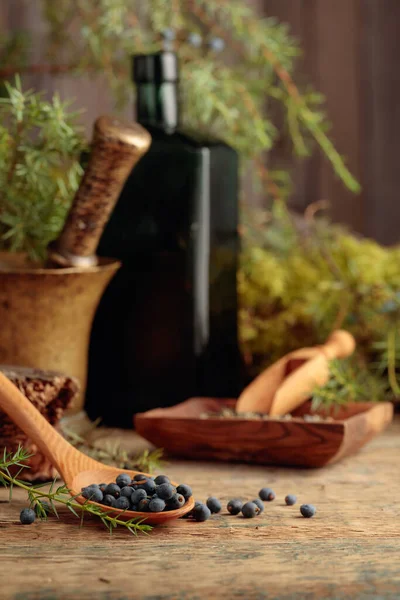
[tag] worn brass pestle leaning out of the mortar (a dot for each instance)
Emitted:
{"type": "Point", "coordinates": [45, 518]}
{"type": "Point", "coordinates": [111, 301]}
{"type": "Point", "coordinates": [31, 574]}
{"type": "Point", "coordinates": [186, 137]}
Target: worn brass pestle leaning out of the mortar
{"type": "Point", "coordinates": [116, 148]}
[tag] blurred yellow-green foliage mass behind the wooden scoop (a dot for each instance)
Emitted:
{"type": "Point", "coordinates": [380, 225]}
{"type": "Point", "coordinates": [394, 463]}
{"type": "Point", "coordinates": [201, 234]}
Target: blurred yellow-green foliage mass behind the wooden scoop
{"type": "Point", "coordinates": [300, 280]}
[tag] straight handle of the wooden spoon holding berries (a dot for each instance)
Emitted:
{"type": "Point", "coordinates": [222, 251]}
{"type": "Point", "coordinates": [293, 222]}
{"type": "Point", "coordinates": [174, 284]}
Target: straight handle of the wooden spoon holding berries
{"type": "Point", "coordinates": [35, 426]}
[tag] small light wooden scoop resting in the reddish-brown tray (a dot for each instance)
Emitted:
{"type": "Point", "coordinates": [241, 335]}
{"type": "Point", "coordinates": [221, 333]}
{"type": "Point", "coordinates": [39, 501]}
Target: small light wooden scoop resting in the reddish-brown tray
{"type": "Point", "coordinates": [290, 381]}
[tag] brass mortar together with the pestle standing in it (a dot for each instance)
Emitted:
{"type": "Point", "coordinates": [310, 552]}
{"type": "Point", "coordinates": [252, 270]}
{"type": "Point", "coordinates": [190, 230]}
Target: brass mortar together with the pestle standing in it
{"type": "Point", "coordinates": [46, 311]}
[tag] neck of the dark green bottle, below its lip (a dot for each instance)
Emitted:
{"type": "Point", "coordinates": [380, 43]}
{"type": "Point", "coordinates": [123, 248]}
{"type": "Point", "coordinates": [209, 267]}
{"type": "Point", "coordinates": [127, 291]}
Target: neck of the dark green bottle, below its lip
{"type": "Point", "coordinates": [157, 105]}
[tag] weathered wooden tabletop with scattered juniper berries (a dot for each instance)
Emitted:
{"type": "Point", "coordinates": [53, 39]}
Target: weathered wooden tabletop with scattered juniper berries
{"type": "Point", "coordinates": [350, 549]}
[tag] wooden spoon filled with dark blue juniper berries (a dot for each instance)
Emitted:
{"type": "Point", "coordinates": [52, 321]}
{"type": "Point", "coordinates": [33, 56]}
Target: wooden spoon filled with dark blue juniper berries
{"type": "Point", "coordinates": [77, 469]}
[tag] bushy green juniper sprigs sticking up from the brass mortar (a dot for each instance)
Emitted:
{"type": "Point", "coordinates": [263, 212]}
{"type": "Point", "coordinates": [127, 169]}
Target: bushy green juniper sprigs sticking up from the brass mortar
{"type": "Point", "coordinates": [39, 169]}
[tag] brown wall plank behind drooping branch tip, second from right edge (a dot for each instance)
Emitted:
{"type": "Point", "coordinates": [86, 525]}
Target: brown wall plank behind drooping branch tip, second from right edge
{"type": "Point", "coordinates": [338, 32]}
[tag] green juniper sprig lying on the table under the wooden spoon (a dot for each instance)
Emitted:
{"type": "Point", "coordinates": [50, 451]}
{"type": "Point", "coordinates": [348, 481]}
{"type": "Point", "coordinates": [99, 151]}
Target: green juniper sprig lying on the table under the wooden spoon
{"type": "Point", "coordinates": [58, 495]}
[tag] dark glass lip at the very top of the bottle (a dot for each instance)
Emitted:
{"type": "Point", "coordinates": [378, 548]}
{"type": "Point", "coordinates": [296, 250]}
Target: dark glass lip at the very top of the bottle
{"type": "Point", "coordinates": [160, 67]}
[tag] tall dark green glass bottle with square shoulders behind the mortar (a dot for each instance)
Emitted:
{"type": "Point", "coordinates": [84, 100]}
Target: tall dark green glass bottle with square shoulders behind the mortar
{"type": "Point", "coordinates": [166, 328]}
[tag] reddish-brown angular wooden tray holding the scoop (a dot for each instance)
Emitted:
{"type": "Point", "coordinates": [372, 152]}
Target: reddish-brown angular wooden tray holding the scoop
{"type": "Point", "coordinates": [181, 431]}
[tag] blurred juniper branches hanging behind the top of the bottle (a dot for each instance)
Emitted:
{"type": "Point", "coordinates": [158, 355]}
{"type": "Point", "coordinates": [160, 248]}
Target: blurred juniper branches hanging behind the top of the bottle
{"type": "Point", "coordinates": [235, 99]}
